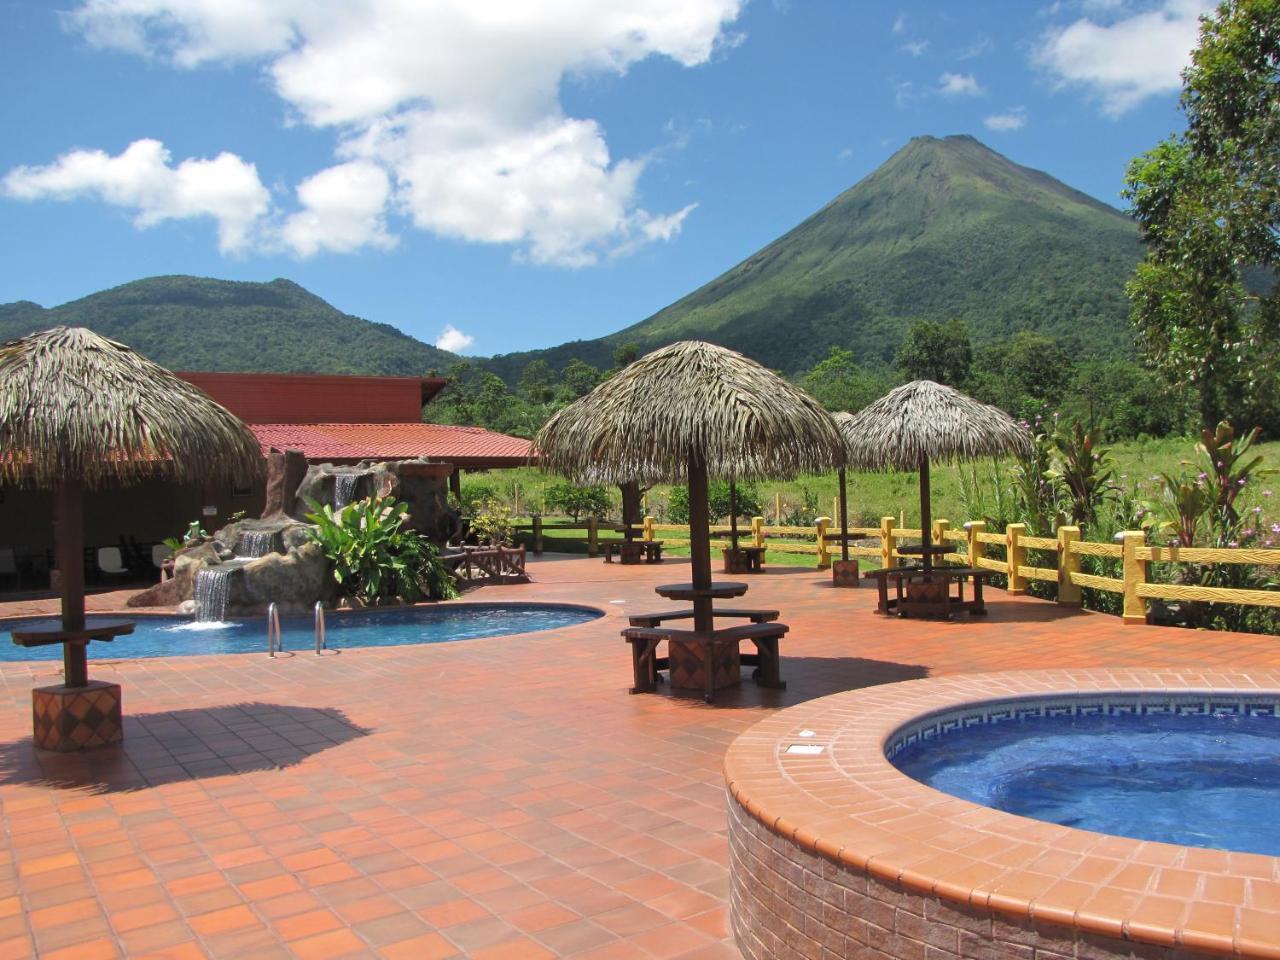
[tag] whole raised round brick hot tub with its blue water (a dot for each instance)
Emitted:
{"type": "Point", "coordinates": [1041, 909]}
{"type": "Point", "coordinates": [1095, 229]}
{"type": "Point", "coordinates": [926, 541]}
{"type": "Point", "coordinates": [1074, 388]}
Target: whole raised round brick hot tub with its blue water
{"type": "Point", "coordinates": [835, 852]}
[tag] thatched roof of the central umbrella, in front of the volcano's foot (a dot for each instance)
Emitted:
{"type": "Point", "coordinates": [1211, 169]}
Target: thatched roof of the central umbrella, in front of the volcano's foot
{"type": "Point", "coordinates": [697, 403]}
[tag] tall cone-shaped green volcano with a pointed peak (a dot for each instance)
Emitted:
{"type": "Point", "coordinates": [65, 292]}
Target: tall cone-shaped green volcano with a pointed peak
{"type": "Point", "coordinates": [945, 228]}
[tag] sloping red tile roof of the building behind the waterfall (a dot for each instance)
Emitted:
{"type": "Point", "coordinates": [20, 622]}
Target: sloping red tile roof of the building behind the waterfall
{"type": "Point", "coordinates": [465, 446]}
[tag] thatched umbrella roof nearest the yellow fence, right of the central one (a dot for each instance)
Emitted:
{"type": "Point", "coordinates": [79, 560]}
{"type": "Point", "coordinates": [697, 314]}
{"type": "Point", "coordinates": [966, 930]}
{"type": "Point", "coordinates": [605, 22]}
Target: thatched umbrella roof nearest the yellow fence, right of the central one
{"type": "Point", "coordinates": [932, 422]}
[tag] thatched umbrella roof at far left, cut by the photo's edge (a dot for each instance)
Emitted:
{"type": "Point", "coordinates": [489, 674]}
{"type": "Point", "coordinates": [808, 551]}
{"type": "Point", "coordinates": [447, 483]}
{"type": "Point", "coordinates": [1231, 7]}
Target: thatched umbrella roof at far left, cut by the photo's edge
{"type": "Point", "coordinates": [77, 406]}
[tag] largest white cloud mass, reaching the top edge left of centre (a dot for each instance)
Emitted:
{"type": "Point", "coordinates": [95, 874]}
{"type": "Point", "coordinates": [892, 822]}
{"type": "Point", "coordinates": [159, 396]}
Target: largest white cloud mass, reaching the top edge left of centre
{"type": "Point", "coordinates": [458, 103]}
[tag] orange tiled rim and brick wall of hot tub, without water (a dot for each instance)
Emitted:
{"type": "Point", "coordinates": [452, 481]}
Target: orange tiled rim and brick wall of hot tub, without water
{"type": "Point", "coordinates": [838, 854]}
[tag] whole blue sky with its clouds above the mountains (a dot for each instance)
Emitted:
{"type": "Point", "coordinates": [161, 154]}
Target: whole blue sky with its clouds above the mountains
{"type": "Point", "coordinates": [524, 173]}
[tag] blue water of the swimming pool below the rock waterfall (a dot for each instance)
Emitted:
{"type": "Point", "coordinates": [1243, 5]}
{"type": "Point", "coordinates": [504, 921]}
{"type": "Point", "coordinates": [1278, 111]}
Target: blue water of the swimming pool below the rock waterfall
{"type": "Point", "coordinates": [180, 637]}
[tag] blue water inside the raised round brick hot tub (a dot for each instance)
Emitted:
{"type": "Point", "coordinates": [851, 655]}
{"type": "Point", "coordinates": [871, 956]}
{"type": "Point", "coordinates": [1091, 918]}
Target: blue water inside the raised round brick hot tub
{"type": "Point", "coordinates": [1209, 781]}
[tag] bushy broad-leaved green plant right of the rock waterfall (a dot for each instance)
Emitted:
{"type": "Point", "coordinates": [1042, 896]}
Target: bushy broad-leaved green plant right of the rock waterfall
{"type": "Point", "coordinates": [374, 557]}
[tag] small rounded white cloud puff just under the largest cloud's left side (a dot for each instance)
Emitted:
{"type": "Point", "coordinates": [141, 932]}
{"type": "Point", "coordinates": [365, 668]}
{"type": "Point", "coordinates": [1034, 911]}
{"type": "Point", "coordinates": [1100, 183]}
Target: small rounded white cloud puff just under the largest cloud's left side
{"type": "Point", "coordinates": [342, 211]}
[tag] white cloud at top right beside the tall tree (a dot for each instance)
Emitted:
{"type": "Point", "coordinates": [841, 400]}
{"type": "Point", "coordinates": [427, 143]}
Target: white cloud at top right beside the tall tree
{"type": "Point", "coordinates": [1127, 61]}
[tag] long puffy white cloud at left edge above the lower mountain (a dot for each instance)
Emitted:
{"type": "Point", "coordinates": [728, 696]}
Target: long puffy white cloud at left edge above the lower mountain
{"type": "Point", "coordinates": [141, 179]}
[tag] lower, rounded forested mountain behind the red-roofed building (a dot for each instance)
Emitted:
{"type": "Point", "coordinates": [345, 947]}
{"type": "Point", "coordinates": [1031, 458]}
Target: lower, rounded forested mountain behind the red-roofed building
{"type": "Point", "coordinates": [194, 323]}
